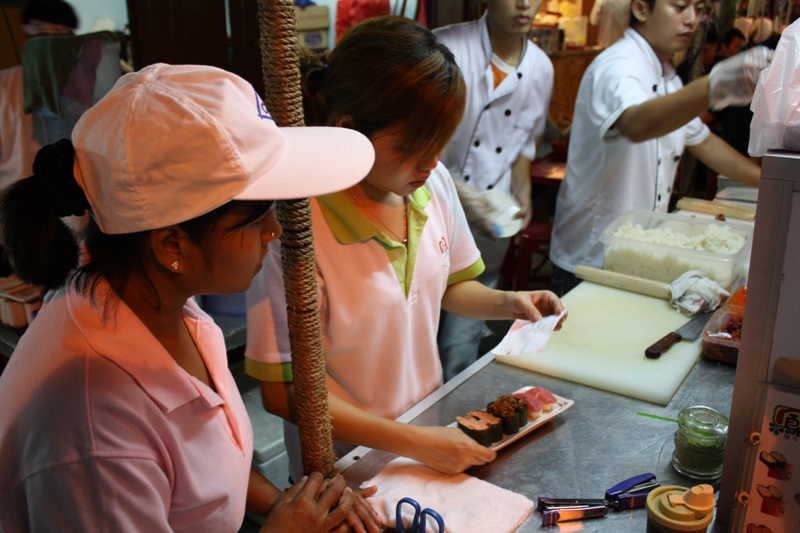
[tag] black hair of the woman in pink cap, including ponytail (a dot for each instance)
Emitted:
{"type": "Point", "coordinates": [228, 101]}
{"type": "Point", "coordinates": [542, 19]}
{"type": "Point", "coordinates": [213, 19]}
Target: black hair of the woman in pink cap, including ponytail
{"type": "Point", "coordinates": [44, 251]}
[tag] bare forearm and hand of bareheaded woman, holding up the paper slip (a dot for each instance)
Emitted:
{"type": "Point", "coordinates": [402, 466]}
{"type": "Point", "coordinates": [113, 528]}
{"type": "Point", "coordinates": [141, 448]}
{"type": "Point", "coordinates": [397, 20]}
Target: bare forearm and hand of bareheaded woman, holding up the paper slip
{"type": "Point", "coordinates": [471, 299]}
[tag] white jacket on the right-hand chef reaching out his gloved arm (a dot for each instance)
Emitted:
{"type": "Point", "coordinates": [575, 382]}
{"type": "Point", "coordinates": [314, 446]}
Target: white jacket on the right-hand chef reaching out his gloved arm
{"type": "Point", "coordinates": [608, 174]}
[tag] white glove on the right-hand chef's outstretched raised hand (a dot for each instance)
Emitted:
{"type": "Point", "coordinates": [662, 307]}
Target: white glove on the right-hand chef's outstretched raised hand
{"type": "Point", "coordinates": [732, 81]}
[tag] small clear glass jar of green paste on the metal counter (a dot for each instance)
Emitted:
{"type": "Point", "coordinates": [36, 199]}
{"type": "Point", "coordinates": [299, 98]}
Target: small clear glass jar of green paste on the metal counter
{"type": "Point", "coordinates": [700, 442]}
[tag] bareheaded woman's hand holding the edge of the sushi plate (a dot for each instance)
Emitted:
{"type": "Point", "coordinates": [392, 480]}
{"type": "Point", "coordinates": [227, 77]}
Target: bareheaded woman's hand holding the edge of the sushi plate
{"type": "Point", "coordinates": [448, 449]}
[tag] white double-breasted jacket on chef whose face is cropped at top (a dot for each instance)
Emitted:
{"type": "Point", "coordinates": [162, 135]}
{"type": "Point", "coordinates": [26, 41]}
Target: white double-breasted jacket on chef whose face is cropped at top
{"type": "Point", "coordinates": [499, 124]}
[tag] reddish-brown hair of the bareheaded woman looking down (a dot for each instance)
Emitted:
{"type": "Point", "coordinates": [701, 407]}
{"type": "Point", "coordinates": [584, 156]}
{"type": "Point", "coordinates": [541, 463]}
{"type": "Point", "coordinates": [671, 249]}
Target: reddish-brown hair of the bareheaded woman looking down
{"type": "Point", "coordinates": [387, 72]}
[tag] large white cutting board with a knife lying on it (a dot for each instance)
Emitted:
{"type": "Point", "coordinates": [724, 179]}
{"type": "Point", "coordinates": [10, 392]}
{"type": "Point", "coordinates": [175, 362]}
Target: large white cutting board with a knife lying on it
{"type": "Point", "coordinates": [603, 340]}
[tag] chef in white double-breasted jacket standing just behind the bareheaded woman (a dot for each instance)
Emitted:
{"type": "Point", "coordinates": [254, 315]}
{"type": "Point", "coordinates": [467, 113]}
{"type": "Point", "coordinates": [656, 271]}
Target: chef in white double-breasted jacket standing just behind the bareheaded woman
{"type": "Point", "coordinates": [509, 84]}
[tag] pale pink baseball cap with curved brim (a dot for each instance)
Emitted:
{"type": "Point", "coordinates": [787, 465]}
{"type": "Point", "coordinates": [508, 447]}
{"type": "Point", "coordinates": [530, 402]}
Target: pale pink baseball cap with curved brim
{"type": "Point", "coordinates": [172, 142]}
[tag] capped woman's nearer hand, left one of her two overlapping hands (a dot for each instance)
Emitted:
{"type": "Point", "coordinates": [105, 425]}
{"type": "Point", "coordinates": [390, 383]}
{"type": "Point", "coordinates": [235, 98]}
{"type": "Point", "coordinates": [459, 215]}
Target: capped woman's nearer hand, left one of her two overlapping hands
{"type": "Point", "coordinates": [300, 510]}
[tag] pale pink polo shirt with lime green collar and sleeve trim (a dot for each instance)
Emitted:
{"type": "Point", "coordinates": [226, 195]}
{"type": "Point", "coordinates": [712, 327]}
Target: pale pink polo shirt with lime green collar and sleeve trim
{"type": "Point", "coordinates": [379, 302]}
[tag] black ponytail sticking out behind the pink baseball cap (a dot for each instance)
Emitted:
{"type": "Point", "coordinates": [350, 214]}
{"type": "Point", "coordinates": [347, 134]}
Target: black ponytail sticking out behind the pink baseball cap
{"type": "Point", "coordinates": [42, 249]}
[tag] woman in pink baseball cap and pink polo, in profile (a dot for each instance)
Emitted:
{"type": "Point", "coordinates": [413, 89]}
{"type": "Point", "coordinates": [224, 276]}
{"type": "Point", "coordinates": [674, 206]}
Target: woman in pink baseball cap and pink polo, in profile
{"type": "Point", "coordinates": [118, 409]}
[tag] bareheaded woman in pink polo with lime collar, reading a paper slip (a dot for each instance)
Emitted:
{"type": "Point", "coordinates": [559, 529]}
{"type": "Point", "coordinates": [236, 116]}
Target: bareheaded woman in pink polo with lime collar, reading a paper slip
{"type": "Point", "coordinates": [392, 252]}
